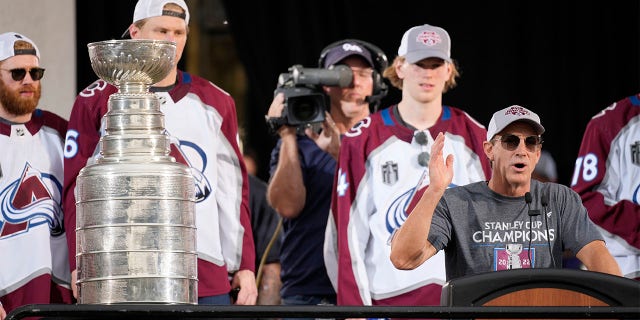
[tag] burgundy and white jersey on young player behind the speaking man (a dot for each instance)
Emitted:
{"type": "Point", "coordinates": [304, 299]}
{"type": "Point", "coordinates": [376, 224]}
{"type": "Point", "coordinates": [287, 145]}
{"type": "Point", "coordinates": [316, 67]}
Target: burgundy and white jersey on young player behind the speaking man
{"type": "Point", "coordinates": [381, 174]}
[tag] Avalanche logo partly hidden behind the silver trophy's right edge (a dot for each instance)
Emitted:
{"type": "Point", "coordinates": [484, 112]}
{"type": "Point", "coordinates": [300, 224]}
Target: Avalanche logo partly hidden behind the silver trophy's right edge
{"type": "Point", "coordinates": [191, 155]}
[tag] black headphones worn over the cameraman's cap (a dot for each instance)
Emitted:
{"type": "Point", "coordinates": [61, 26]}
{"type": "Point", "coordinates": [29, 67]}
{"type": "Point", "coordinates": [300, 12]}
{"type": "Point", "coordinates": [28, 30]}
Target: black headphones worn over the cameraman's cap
{"type": "Point", "coordinates": [380, 62]}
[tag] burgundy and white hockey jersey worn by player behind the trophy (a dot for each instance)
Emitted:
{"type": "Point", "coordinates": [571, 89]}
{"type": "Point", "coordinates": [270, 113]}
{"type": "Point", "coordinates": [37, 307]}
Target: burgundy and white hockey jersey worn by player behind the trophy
{"type": "Point", "coordinates": [201, 120]}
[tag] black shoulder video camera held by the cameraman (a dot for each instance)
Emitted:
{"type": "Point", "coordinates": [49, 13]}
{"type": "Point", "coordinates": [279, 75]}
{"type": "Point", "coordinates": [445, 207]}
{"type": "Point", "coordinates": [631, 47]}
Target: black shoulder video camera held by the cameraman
{"type": "Point", "coordinates": [305, 101]}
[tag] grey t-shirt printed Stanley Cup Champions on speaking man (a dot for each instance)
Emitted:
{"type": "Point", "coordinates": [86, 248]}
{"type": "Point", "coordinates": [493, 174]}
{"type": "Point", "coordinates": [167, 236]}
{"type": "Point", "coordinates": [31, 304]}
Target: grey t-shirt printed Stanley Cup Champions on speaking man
{"type": "Point", "coordinates": [483, 231]}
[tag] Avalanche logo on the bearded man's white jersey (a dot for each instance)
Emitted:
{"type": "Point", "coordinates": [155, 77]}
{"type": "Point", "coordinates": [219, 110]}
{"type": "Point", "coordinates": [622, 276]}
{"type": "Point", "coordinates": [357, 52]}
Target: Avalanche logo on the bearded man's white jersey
{"type": "Point", "coordinates": [32, 200]}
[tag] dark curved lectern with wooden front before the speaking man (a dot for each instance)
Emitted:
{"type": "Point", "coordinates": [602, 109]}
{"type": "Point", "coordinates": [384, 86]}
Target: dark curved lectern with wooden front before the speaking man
{"type": "Point", "coordinates": [541, 287]}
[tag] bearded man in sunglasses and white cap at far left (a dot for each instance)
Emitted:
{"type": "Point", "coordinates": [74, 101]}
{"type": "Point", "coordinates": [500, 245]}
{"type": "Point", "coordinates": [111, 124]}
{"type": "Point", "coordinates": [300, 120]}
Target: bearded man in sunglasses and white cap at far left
{"type": "Point", "coordinates": [35, 268]}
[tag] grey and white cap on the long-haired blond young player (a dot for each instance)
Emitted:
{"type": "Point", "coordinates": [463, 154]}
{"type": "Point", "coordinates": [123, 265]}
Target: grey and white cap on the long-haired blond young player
{"type": "Point", "coordinates": [425, 41]}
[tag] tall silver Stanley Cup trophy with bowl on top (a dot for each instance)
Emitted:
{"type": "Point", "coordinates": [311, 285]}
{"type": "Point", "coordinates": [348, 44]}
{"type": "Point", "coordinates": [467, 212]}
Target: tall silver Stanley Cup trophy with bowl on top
{"type": "Point", "coordinates": [136, 234]}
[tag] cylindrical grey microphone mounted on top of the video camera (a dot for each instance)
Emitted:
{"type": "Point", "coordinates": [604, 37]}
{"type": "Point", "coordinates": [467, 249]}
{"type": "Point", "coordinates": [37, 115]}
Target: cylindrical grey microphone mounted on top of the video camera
{"type": "Point", "coordinates": [339, 75]}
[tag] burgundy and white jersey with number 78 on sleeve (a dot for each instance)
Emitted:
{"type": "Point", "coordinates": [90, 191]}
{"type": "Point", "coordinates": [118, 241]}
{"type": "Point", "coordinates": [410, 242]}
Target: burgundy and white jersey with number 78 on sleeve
{"type": "Point", "coordinates": [607, 177]}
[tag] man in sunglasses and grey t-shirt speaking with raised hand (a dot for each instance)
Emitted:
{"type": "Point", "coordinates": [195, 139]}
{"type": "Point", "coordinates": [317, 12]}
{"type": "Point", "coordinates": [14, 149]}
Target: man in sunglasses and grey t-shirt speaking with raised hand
{"type": "Point", "coordinates": [509, 222]}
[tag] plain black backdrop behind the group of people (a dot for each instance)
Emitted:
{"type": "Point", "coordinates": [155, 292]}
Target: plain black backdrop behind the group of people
{"type": "Point", "coordinates": [566, 60]}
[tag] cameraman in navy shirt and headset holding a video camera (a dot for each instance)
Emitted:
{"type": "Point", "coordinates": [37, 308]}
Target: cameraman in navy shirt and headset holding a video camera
{"type": "Point", "coordinates": [303, 166]}
